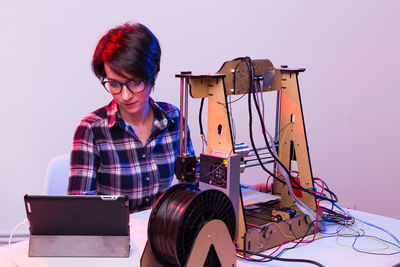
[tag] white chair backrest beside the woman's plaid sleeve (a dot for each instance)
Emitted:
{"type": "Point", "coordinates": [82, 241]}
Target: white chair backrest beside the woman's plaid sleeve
{"type": "Point", "coordinates": [57, 175]}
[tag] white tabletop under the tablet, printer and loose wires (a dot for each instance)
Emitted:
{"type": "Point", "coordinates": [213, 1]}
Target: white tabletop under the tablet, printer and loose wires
{"type": "Point", "coordinates": [327, 251]}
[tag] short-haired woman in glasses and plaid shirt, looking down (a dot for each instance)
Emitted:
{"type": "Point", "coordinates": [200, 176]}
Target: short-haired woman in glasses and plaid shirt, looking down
{"type": "Point", "coordinates": [128, 147]}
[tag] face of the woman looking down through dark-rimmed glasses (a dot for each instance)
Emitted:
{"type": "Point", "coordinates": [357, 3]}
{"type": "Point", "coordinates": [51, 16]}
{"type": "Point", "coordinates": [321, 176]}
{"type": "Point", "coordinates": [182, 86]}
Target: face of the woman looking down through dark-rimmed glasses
{"type": "Point", "coordinates": [131, 105]}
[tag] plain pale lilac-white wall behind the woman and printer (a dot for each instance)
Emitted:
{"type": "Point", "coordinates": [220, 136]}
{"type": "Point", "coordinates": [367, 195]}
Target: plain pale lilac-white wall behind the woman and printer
{"type": "Point", "coordinates": [350, 90]}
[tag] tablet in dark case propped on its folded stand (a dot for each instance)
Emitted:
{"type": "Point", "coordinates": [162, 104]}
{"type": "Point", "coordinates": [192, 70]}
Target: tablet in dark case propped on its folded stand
{"type": "Point", "coordinates": [78, 225]}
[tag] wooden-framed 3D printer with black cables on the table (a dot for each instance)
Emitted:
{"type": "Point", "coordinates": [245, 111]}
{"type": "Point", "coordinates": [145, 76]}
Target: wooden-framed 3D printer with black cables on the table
{"type": "Point", "coordinates": [259, 226]}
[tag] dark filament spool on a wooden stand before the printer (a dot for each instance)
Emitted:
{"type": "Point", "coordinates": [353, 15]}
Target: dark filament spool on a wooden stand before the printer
{"type": "Point", "coordinates": [178, 216]}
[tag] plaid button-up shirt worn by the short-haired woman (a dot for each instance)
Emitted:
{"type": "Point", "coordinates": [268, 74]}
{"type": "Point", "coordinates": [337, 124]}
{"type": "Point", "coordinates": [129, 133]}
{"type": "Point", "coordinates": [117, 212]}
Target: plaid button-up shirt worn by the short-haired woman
{"type": "Point", "coordinates": [107, 157]}
